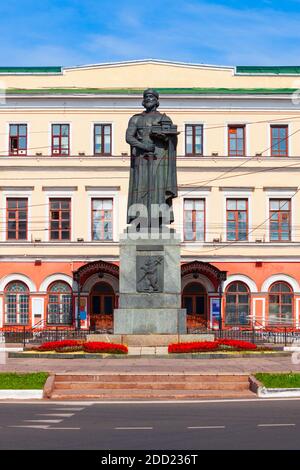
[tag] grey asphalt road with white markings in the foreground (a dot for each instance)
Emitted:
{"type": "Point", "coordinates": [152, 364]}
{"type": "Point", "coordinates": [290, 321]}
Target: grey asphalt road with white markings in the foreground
{"type": "Point", "coordinates": [256, 424]}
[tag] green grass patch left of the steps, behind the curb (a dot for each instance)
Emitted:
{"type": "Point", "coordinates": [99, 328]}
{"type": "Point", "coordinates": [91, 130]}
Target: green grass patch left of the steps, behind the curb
{"type": "Point", "coordinates": [13, 381]}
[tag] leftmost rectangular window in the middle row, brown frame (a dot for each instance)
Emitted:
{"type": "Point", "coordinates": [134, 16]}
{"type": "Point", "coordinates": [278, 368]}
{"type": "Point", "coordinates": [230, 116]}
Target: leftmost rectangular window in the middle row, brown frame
{"type": "Point", "coordinates": [16, 218]}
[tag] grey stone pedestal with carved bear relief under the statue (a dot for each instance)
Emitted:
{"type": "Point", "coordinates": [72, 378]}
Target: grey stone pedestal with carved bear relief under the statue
{"type": "Point", "coordinates": [150, 286]}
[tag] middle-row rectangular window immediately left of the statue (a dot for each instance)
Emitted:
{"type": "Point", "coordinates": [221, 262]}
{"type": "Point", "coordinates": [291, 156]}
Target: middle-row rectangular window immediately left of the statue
{"type": "Point", "coordinates": [102, 213]}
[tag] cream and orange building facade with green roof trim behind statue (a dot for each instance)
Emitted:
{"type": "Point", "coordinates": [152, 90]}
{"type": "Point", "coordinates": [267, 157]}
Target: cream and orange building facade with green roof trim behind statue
{"type": "Point", "coordinates": [64, 182]}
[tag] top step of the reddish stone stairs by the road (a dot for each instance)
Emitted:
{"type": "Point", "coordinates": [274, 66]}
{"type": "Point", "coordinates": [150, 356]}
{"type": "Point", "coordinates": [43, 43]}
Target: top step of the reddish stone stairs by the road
{"type": "Point", "coordinates": [174, 378]}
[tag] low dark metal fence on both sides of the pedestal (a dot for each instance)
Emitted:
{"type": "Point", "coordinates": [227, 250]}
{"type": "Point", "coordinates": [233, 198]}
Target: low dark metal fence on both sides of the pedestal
{"type": "Point", "coordinates": [283, 336]}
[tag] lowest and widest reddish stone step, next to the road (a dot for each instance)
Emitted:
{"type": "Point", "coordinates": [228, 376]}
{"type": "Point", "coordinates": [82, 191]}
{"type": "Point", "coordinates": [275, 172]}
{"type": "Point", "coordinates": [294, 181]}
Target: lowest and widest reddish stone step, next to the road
{"type": "Point", "coordinates": [148, 394]}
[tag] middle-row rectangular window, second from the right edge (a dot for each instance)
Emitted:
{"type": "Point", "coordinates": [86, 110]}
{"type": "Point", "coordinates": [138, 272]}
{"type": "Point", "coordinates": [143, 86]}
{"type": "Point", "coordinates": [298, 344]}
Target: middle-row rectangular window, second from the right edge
{"type": "Point", "coordinates": [237, 219]}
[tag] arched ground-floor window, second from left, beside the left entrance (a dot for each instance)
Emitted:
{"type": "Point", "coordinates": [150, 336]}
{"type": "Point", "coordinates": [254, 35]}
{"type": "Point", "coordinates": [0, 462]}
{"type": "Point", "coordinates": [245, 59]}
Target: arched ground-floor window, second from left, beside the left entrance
{"type": "Point", "coordinates": [59, 308]}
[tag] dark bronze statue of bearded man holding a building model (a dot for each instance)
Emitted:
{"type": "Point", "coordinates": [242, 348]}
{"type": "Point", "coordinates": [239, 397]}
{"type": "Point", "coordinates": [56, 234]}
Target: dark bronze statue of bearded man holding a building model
{"type": "Point", "coordinates": [153, 140]}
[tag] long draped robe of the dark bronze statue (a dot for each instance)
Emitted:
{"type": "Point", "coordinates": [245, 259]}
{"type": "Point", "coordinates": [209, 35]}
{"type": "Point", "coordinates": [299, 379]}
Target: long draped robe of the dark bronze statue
{"type": "Point", "coordinates": [159, 174]}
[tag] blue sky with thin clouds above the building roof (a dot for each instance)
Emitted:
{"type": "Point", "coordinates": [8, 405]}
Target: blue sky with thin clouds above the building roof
{"type": "Point", "coordinates": [74, 32]}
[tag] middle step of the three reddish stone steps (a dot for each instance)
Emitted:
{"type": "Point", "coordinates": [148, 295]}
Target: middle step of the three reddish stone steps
{"type": "Point", "coordinates": [158, 385]}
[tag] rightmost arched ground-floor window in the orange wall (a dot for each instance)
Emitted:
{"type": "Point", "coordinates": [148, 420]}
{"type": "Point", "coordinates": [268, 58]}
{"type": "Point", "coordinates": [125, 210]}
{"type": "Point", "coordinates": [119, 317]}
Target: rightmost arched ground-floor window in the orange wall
{"type": "Point", "coordinates": [281, 303]}
